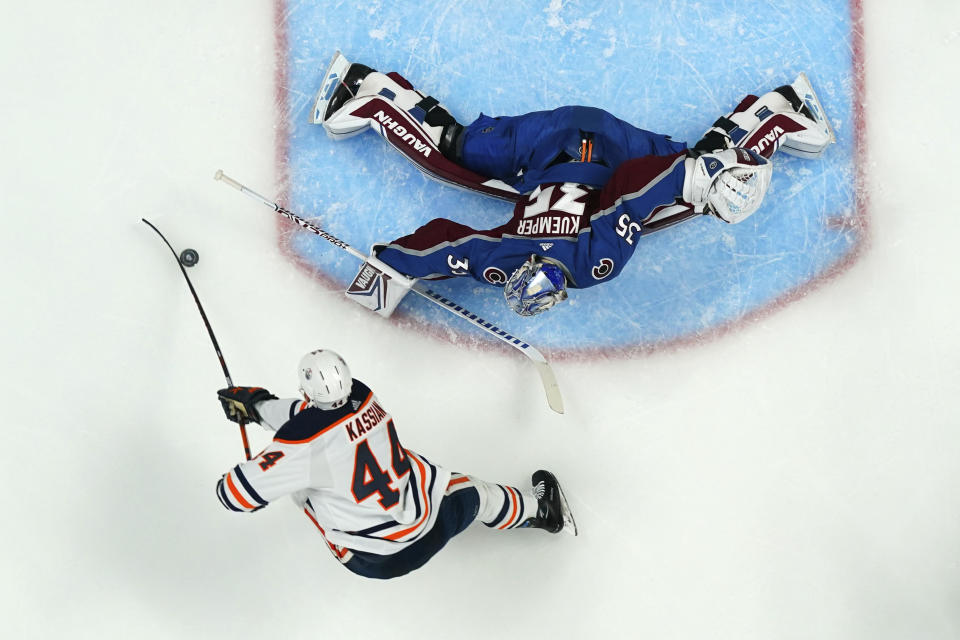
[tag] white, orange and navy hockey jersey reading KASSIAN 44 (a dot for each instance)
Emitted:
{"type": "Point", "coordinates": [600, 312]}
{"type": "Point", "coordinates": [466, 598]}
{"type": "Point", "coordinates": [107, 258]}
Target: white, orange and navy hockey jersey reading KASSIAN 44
{"type": "Point", "coordinates": [347, 469]}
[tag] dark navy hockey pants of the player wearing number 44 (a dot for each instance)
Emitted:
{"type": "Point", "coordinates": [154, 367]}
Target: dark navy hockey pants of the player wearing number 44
{"type": "Point", "coordinates": [457, 511]}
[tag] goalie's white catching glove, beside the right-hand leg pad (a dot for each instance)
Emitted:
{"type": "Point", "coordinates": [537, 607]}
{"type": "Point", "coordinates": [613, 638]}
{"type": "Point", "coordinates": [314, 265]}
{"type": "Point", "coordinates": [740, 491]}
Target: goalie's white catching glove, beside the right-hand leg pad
{"type": "Point", "coordinates": [730, 184]}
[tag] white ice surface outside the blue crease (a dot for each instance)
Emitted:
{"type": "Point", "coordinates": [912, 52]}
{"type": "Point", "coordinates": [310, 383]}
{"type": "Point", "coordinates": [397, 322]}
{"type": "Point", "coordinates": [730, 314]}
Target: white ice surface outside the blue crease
{"type": "Point", "coordinates": [796, 478]}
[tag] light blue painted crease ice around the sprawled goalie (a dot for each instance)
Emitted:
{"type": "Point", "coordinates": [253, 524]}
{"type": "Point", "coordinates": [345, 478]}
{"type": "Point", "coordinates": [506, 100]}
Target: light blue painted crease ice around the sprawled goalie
{"type": "Point", "coordinates": [698, 278]}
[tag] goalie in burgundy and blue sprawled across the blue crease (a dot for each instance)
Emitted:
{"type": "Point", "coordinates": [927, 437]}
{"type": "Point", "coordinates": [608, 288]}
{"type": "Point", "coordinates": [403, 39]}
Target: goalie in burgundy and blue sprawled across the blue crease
{"type": "Point", "coordinates": [586, 184]}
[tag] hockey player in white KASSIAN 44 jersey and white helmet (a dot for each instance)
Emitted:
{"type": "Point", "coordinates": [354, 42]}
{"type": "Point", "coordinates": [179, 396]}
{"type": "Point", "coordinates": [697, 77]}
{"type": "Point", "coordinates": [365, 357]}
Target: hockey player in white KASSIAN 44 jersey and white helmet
{"type": "Point", "coordinates": [383, 510]}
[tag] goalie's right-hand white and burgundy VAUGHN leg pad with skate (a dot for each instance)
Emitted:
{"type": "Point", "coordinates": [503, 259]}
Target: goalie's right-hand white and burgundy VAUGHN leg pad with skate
{"type": "Point", "coordinates": [789, 117]}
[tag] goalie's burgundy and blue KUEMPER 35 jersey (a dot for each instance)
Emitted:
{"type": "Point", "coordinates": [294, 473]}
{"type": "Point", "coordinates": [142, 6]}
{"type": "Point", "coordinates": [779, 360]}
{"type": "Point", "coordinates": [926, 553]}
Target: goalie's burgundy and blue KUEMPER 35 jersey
{"type": "Point", "coordinates": [591, 233]}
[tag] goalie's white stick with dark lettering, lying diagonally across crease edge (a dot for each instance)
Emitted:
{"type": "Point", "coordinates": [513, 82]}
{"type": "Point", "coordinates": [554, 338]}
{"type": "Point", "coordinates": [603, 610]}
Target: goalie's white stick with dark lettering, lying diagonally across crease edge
{"type": "Point", "coordinates": [547, 377]}
